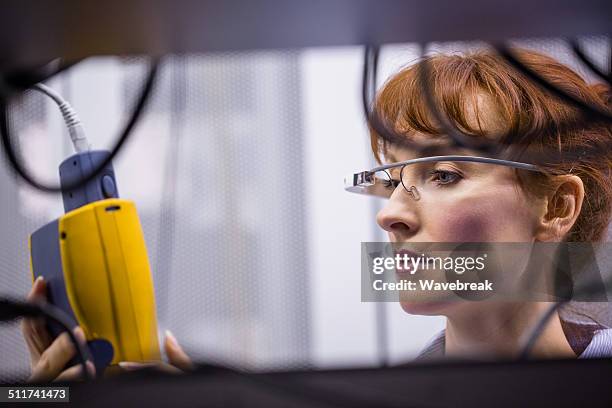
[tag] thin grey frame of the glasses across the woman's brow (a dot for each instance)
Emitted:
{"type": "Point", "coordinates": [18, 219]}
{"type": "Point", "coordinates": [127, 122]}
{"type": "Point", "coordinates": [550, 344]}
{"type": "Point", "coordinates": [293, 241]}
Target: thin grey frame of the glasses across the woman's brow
{"type": "Point", "coordinates": [364, 182]}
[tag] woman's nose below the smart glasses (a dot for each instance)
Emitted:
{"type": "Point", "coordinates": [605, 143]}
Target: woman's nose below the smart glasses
{"type": "Point", "coordinates": [398, 216]}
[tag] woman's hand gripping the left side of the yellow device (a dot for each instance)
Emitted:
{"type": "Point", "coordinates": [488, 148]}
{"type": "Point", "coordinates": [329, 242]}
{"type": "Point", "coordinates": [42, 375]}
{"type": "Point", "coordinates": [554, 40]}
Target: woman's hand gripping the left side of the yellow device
{"type": "Point", "coordinates": [48, 358]}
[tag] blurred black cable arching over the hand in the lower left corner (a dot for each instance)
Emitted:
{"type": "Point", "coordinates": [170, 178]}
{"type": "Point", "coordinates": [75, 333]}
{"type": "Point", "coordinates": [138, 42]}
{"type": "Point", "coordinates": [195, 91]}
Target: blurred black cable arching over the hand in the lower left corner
{"type": "Point", "coordinates": [13, 309]}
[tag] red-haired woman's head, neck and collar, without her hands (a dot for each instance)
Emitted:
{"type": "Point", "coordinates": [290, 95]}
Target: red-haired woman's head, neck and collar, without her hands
{"type": "Point", "coordinates": [467, 202]}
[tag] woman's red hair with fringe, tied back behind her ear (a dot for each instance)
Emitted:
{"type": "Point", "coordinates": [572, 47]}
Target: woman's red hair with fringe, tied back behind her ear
{"type": "Point", "coordinates": [523, 108]}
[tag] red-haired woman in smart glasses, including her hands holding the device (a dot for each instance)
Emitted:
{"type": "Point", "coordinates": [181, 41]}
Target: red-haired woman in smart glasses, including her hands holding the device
{"type": "Point", "coordinates": [484, 97]}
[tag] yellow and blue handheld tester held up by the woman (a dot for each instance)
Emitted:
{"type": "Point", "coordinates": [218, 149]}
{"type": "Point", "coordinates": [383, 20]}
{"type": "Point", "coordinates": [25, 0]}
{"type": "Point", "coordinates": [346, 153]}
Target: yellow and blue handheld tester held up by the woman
{"type": "Point", "coordinates": [94, 260]}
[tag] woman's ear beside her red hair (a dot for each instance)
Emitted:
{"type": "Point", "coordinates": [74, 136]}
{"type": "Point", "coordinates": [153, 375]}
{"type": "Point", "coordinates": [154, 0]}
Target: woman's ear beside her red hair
{"type": "Point", "coordinates": [563, 207]}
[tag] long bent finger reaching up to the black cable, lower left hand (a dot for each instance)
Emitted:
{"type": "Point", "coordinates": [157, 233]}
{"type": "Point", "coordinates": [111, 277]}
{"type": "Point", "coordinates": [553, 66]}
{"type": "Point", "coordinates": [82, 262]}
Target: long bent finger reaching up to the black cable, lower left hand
{"type": "Point", "coordinates": [54, 359]}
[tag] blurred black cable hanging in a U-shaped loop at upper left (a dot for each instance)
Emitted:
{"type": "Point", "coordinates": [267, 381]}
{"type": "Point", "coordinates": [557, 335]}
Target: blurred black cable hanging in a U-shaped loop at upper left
{"type": "Point", "coordinates": [124, 135]}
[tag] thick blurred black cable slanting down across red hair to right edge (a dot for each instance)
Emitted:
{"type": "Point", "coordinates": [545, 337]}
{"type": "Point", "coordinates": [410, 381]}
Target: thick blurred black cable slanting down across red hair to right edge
{"type": "Point", "coordinates": [592, 112]}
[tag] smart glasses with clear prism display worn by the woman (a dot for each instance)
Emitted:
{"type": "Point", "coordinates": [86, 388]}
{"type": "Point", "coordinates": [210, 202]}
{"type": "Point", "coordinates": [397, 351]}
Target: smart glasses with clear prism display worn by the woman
{"type": "Point", "coordinates": [379, 181]}
